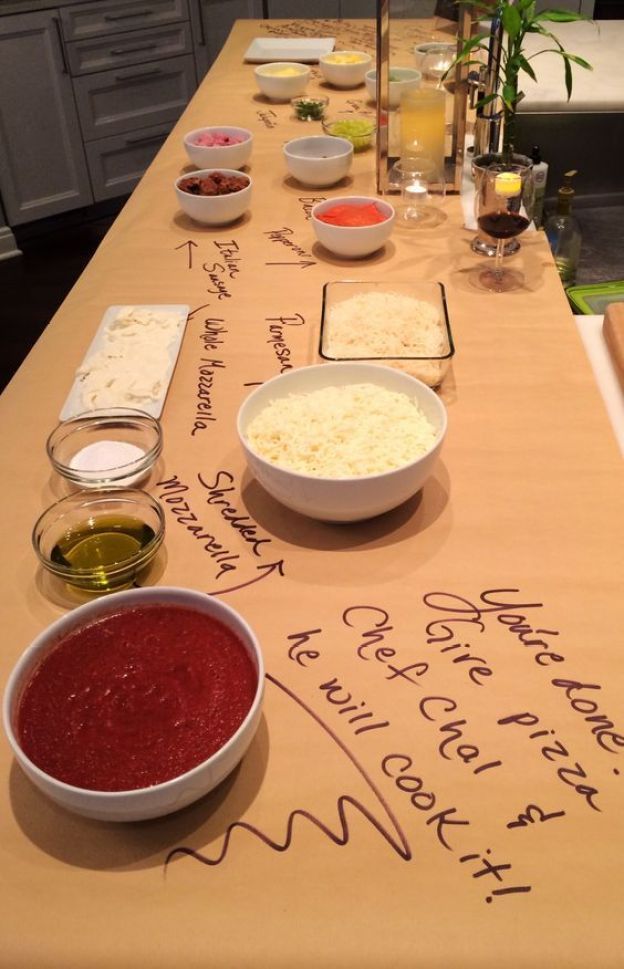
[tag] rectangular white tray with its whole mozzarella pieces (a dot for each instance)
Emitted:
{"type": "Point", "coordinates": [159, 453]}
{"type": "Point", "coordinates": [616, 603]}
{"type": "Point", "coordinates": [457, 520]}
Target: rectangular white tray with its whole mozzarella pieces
{"type": "Point", "coordinates": [130, 361]}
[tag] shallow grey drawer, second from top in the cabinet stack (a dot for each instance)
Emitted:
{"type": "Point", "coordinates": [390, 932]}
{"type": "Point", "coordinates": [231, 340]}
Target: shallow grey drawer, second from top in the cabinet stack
{"type": "Point", "coordinates": [135, 47]}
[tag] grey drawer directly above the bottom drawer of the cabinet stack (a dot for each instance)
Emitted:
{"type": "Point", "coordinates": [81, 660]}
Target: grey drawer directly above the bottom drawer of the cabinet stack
{"type": "Point", "coordinates": [120, 101]}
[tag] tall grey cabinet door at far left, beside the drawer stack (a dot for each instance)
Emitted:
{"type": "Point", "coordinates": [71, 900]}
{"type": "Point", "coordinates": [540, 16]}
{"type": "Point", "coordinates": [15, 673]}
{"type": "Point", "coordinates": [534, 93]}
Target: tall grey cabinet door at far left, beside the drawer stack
{"type": "Point", "coordinates": [43, 169]}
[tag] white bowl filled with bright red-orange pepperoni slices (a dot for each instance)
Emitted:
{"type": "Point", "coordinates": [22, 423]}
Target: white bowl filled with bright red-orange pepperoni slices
{"type": "Point", "coordinates": [353, 225]}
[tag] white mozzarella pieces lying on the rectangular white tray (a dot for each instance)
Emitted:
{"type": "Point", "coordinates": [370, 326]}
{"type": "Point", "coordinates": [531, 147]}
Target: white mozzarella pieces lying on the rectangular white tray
{"type": "Point", "coordinates": [133, 360]}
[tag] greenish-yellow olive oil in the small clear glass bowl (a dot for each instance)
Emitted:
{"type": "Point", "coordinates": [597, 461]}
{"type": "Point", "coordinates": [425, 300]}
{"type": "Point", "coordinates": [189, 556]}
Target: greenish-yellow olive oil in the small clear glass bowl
{"type": "Point", "coordinates": [96, 550]}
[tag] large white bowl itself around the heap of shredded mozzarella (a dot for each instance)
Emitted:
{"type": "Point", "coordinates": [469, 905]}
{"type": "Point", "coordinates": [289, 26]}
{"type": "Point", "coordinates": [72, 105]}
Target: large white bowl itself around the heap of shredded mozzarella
{"type": "Point", "coordinates": [345, 499]}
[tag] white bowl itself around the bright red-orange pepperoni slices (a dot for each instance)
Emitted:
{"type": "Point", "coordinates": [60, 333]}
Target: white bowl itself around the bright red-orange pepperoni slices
{"type": "Point", "coordinates": [353, 242]}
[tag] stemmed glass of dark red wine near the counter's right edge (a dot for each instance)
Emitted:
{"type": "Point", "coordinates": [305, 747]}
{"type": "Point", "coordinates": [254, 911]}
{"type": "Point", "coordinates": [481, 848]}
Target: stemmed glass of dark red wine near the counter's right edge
{"type": "Point", "coordinates": [504, 212]}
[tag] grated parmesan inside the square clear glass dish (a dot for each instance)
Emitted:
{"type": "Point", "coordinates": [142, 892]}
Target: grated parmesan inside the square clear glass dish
{"type": "Point", "coordinates": [388, 324]}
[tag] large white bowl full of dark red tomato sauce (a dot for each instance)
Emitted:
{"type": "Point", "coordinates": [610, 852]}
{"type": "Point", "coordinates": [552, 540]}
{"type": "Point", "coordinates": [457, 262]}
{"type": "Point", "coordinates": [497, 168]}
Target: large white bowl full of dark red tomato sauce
{"type": "Point", "coordinates": [133, 706]}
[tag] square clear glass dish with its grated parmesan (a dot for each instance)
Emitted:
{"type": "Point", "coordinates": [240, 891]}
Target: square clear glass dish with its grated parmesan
{"type": "Point", "coordinates": [399, 324]}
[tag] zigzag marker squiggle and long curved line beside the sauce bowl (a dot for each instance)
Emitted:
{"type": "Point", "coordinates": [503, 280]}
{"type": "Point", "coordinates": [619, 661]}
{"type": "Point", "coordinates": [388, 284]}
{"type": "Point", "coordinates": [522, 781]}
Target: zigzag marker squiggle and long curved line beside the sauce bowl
{"type": "Point", "coordinates": [395, 837]}
